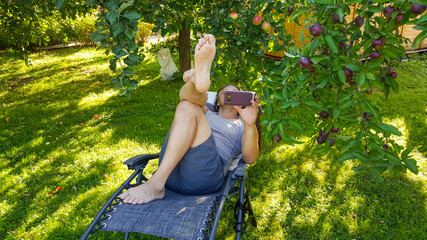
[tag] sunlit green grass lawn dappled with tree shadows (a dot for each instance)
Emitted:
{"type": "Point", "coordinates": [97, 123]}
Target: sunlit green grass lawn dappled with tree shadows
{"type": "Point", "coordinates": [59, 162]}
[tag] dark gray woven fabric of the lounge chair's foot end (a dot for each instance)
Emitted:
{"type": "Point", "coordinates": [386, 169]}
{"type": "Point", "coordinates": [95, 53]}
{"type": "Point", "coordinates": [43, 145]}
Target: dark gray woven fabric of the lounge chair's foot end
{"type": "Point", "coordinates": [177, 216]}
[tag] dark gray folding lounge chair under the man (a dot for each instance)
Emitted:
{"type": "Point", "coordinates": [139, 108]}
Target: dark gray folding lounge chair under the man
{"type": "Point", "coordinates": [176, 216]}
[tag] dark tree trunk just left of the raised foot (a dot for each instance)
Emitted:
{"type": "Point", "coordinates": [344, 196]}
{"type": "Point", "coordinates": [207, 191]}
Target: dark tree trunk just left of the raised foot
{"type": "Point", "coordinates": [184, 49]}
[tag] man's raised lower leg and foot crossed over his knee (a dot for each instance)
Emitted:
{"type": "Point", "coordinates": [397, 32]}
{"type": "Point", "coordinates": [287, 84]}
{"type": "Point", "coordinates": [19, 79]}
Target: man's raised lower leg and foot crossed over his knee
{"type": "Point", "coordinates": [198, 79]}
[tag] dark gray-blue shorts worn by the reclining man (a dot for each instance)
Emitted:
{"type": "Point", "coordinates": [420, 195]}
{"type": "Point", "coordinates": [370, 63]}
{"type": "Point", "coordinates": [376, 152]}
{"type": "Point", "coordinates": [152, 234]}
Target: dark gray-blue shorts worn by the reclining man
{"type": "Point", "coordinates": [200, 171]}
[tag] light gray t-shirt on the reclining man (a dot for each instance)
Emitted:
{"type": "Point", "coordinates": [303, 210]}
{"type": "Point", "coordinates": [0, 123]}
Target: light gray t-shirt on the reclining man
{"type": "Point", "coordinates": [228, 135]}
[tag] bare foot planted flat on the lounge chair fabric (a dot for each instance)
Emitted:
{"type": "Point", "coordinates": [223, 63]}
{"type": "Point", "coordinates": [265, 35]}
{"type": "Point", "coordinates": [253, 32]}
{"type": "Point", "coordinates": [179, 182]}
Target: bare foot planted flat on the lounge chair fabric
{"type": "Point", "coordinates": [143, 193]}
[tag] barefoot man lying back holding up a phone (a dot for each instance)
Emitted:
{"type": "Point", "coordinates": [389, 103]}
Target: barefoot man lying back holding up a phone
{"type": "Point", "coordinates": [200, 142]}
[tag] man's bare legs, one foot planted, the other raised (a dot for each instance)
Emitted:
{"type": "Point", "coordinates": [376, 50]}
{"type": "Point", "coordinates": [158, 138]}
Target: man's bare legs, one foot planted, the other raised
{"type": "Point", "coordinates": [189, 129]}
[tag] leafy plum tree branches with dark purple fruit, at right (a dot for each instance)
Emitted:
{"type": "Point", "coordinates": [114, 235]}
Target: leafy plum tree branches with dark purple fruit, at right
{"type": "Point", "coordinates": [323, 88]}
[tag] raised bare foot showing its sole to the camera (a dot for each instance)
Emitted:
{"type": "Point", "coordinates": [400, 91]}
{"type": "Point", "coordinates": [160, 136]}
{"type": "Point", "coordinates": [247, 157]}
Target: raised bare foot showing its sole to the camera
{"type": "Point", "coordinates": [203, 57]}
